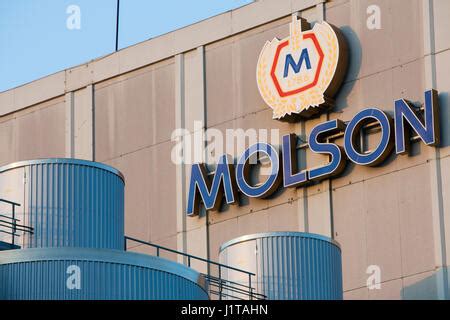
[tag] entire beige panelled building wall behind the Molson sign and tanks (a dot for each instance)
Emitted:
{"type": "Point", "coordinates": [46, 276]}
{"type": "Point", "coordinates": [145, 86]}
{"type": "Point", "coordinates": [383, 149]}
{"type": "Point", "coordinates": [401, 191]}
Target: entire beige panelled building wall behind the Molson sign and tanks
{"type": "Point", "coordinates": [396, 216]}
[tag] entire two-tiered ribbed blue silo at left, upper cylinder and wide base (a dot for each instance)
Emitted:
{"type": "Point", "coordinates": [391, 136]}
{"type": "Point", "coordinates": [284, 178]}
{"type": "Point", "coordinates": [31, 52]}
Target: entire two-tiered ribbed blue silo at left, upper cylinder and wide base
{"type": "Point", "coordinates": [75, 209]}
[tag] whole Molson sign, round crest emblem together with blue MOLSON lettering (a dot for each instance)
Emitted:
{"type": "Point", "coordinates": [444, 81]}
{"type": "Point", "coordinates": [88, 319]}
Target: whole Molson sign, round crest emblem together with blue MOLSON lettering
{"type": "Point", "coordinates": [298, 77]}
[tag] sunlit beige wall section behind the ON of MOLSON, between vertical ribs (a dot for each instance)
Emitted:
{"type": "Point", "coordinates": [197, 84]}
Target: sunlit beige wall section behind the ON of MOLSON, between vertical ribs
{"type": "Point", "coordinates": [383, 216]}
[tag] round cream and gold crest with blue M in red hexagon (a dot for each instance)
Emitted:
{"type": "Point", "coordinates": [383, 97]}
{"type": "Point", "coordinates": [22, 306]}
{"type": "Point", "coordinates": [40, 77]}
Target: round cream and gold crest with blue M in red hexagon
{"type": "Point", "coordinates": [299, 75]}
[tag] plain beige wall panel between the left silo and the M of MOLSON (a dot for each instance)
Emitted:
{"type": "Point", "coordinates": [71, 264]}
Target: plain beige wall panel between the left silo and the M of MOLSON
{"type": "Point", "coordinates": [134, 119]}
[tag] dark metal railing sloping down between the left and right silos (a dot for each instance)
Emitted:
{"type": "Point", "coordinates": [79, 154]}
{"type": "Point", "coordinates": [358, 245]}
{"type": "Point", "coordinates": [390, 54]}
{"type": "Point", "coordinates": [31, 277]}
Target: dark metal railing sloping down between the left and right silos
{"type": "Point", "coordinates": [218, 286]}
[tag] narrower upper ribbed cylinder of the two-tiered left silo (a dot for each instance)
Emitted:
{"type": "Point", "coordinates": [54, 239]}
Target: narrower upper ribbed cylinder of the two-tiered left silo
{"type": "Point", "coordinates": [73, 203]}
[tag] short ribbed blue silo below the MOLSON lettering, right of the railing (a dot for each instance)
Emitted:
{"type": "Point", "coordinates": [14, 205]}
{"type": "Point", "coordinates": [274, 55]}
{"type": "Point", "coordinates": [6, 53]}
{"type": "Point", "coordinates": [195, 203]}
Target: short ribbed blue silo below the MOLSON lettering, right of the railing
{"type": "Point", "coordinates": [288, 265]}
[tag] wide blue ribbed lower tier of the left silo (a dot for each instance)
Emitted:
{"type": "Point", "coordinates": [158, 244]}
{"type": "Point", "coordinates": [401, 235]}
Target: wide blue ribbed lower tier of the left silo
{"type": "Point", "coordinates": [41, 274]}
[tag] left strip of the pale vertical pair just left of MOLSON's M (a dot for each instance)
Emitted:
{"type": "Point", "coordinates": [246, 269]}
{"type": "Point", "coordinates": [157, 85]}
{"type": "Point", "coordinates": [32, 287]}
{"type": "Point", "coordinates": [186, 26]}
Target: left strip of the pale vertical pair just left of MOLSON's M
{"type": "Point", "coordinates": [180, 168]}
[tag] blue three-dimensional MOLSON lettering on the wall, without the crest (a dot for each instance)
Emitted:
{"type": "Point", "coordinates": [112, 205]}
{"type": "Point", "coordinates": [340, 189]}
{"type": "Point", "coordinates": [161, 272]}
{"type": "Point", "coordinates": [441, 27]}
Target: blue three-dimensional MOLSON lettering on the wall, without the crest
{"type": "Point", "coordinates": [230, 178]}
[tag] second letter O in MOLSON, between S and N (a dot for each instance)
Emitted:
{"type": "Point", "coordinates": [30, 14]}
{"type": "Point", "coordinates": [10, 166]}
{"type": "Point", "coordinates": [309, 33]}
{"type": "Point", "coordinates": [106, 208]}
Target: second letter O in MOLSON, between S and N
{"type": "Point", "coordinates": [379, 154]}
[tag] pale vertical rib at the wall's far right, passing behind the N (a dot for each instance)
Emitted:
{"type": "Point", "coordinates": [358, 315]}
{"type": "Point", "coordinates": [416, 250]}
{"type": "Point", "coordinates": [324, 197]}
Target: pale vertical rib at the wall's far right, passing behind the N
{"type": "Point", "coordinates": [436, 172]}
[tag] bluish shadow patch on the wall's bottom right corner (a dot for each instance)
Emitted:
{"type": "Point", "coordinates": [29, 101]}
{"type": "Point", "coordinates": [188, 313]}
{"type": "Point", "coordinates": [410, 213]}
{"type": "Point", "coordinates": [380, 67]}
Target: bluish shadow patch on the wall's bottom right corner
{"type": "Point", "coordinates": [431, 288]}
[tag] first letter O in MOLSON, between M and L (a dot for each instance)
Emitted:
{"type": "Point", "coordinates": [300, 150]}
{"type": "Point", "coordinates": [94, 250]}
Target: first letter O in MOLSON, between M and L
{"type": "Point", "coordinates": [243, 171]}
